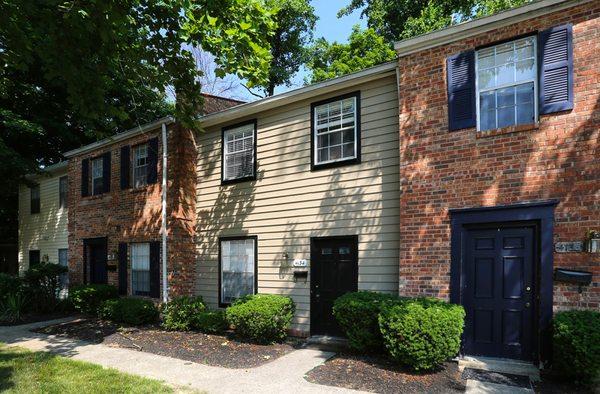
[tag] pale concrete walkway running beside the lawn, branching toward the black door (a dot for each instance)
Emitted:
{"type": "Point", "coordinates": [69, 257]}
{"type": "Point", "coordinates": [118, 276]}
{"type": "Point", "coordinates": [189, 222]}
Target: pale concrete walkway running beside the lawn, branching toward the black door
{"type": "Point", "coordinates": [284, 374]}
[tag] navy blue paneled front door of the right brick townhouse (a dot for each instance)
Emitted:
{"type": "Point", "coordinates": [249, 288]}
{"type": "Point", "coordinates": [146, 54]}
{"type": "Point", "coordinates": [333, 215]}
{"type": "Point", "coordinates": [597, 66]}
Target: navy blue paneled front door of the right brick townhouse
{"type": "Point", "coordinates": [499, 290]}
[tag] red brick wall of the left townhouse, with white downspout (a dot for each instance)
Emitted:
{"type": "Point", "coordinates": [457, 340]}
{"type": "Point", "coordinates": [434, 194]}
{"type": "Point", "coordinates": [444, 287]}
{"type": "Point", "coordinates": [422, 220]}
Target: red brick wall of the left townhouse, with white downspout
{"type": "Point", "coordinates": [134, 215]}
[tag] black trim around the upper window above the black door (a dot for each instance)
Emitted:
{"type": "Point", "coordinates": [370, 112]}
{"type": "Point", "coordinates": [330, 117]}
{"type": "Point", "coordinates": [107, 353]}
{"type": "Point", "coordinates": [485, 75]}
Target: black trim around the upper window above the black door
{"type": "Point", "coordinates": [356, 160]}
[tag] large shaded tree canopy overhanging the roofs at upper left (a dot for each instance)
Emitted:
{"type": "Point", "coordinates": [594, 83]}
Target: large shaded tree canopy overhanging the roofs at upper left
{"type": "Point", "coordinates": [75, 71]}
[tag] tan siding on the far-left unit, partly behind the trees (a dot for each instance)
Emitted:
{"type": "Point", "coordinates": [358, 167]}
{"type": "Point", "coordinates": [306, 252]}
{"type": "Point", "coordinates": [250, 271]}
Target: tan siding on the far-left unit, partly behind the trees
{"type": "Point", "coordinates": [45, 231]}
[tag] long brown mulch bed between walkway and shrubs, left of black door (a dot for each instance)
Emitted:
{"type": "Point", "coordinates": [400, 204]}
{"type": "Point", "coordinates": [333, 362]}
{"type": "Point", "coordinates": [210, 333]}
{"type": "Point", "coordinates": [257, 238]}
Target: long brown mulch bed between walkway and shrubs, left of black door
{"type": "Point", "coordinates": [215, 350]}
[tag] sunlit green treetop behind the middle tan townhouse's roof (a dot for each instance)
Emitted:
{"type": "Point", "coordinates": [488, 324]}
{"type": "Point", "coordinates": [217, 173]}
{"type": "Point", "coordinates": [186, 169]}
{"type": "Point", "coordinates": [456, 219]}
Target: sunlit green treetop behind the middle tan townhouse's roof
{"type": "Point", "coordinates": [365, 48]}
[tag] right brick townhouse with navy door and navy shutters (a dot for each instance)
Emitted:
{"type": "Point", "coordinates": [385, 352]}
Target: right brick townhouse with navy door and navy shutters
{"type": "Point", "coordinates": [499, 139]}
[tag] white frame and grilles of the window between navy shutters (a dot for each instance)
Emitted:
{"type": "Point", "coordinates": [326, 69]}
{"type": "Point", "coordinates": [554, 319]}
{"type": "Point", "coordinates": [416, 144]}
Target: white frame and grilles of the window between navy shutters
{"type": "Point", "coordinates": [506, 85]}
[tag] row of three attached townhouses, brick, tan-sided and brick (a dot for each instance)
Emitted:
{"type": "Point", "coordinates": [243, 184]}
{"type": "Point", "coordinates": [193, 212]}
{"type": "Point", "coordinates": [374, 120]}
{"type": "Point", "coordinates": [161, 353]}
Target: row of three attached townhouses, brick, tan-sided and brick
{"type": "Point", "coordinates": [467, 170]}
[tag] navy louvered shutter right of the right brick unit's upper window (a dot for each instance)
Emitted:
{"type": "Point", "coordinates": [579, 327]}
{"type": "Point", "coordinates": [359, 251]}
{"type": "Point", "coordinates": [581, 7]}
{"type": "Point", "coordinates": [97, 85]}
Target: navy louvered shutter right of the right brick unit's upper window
{"type": "Point", "coordinates": [555, 58]}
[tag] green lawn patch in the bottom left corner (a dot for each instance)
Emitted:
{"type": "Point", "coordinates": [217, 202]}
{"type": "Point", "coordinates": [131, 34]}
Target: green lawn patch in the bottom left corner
{"type": "Point", "coordinates": [22, 371]}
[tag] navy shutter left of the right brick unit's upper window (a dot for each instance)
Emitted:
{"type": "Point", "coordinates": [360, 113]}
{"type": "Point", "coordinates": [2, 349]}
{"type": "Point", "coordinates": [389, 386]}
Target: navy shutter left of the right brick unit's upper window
{"type": "Point", "coordinates": [461, 90]}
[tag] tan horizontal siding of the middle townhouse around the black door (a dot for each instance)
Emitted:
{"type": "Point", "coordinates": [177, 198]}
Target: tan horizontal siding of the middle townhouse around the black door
{"type": "Point", "coordinates": [288, 203]}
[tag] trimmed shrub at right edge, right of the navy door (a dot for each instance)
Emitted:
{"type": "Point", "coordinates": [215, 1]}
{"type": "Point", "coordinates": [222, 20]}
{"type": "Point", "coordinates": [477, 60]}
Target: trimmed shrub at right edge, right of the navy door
{"type": "Point", "coordinates": [576, 340]}
